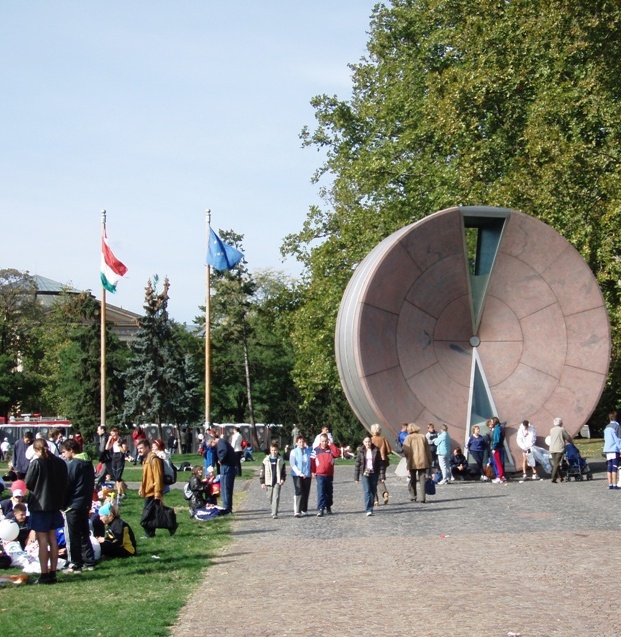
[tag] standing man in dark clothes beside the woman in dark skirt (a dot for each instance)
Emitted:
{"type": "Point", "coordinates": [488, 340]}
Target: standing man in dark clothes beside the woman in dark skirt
{"type": "Point", "coordinates": [80, 486]}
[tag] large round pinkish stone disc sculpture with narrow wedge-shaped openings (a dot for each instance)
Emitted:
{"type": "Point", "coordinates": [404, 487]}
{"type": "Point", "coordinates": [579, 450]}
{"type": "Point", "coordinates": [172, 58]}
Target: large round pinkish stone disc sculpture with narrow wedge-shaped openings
{"type": "Point", "coordinates": [469, 313]}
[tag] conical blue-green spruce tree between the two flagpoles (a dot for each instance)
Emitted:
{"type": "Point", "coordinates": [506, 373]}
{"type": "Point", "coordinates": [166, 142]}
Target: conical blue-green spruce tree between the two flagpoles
{"type": "Point", "coordinates": [161, 385]}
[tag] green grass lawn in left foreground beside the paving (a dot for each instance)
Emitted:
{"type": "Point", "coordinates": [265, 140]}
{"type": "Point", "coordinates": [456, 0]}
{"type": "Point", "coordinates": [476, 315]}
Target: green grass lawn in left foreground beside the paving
{"type": "Point", "coordinates": [125, 597]}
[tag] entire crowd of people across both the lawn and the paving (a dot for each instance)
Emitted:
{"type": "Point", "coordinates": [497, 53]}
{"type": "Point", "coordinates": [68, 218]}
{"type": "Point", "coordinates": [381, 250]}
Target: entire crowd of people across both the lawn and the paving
{"type": "Point", "coordinates": [72, 518]}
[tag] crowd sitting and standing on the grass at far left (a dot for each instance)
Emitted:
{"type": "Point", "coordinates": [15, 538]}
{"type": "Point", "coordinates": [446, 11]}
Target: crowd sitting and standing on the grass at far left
{"type": "Point", "coordinates": [71, 518]}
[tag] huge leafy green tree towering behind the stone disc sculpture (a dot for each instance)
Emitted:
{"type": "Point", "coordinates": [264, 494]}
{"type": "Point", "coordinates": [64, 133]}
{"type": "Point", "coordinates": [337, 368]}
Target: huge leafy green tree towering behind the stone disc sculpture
{"type": "Point", "coordinates": [513, 104]}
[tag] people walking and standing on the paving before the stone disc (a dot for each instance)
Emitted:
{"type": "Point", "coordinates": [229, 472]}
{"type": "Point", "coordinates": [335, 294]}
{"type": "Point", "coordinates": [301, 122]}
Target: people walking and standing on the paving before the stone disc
{"type": "Point", "coordinates": [429, 456]}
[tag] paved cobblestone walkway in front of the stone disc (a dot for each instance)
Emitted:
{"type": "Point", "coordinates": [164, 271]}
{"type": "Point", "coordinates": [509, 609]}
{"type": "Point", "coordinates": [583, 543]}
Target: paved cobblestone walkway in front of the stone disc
{"type": "Point", "coordinates": [480, 559]}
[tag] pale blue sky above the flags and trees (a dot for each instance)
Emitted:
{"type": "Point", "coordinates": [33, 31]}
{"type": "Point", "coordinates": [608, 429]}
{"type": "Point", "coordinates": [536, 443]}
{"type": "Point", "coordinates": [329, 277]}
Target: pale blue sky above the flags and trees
{"type": "Point", "coordinates": [157, 111]}
